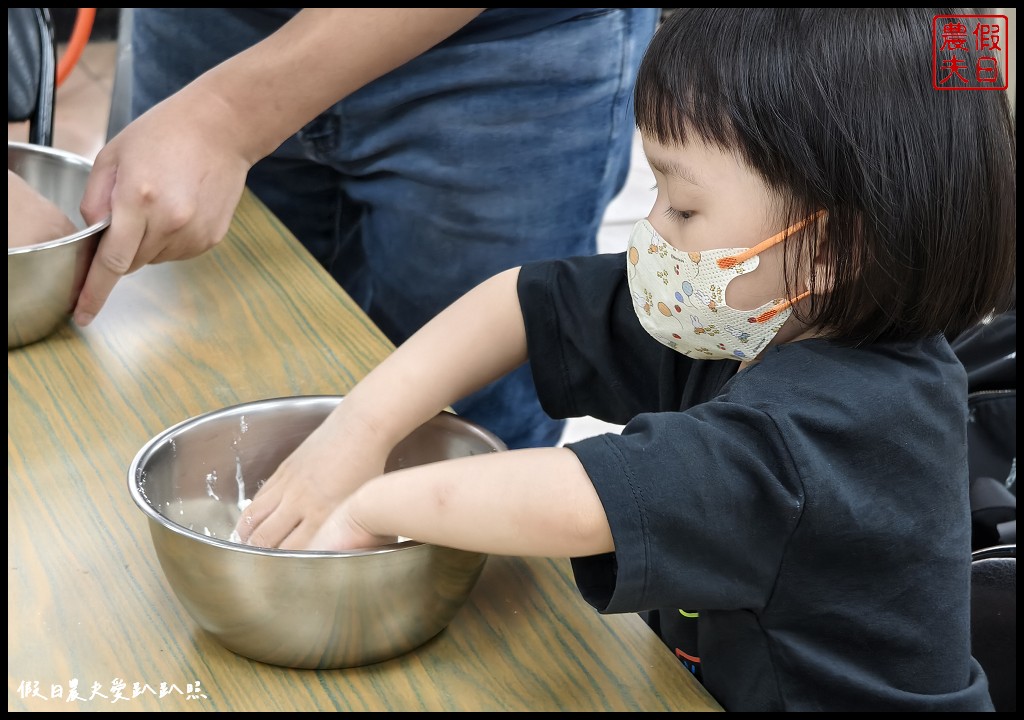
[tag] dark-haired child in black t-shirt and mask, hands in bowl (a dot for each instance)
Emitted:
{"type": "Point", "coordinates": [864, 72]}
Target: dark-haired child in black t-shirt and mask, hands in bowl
{"type": "Point", "coordinates": [788, 502]}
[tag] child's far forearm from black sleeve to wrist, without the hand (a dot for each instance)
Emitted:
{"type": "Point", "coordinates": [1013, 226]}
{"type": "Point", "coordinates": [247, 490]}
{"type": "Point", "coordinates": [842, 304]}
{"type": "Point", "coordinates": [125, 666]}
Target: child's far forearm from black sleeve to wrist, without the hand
{"type": "Point", "coordinates": [477, 341]}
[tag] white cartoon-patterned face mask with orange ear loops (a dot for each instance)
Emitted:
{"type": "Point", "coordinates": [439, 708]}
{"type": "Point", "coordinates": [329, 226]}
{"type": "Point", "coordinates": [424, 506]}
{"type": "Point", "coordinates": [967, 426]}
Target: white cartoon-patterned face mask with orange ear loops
{"type": "Point", "coordinates": [680, 298]}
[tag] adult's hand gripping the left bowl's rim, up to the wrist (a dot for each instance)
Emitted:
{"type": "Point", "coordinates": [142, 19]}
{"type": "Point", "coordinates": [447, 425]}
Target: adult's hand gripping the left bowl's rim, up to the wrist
{"type": "Point", "coordinates": [170, 183]}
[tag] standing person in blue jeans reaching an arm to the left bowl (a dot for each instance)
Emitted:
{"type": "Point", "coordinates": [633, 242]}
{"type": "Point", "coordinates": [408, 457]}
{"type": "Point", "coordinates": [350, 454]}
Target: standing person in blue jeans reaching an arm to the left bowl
{"type": "Point", "coordinates": [413, 152]}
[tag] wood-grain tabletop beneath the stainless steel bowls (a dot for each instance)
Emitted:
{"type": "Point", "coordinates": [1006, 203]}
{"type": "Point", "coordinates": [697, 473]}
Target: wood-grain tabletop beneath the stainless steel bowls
{"type": "Point", "coordinates": [93, 624]}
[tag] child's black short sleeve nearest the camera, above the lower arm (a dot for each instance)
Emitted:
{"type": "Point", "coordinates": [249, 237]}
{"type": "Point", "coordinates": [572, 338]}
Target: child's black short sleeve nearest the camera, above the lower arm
{"type": "Point", "coordinates": [701, 504]}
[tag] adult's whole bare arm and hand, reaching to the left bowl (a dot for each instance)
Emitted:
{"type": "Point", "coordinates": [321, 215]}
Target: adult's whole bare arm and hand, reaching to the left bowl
{"type": "Point", "coordinates": [173, 179]}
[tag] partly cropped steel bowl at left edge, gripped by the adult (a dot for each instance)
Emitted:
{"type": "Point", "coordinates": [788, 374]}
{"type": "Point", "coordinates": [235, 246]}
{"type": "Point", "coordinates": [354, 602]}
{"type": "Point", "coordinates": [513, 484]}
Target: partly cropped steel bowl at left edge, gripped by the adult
{"type": "Point", "coordinates": [44, 280]}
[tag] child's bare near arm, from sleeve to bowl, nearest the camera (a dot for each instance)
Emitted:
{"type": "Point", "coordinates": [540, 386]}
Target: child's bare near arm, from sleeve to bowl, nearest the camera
{"type": "Point", "coordinates": [528, 502]}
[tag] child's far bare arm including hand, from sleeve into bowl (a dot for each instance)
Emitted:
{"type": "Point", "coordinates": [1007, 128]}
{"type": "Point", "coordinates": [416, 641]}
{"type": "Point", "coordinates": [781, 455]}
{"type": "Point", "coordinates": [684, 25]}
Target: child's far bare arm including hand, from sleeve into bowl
{"type": "Point", "coordinates": [477, 341]}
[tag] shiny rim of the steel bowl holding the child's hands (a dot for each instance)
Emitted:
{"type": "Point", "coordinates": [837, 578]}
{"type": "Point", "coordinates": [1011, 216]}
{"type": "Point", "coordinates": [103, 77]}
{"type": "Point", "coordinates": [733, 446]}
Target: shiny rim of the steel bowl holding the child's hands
{"type": "Point", "coordinates": [159, 440]}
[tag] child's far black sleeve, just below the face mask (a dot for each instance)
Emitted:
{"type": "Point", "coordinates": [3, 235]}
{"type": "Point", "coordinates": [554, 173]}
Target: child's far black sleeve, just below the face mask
{"type": "Point", "coordinates": [589, 354]}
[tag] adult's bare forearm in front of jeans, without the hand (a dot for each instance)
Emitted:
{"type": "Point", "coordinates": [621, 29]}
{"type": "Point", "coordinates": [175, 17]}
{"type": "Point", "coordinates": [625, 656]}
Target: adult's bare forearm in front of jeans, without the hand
{"type": "Point", "coordinates": [314, 61]}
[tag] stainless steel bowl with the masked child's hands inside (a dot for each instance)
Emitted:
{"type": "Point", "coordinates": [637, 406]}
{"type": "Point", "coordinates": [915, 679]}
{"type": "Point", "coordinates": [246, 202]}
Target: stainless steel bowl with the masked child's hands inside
{"type": "Point", "coordinates": [300, 610]}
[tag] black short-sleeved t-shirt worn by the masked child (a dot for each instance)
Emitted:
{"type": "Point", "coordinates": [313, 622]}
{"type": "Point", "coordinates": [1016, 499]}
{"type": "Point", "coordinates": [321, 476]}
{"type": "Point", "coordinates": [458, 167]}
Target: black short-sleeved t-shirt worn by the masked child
{"type": "Point", "coordinates": [798, 533]}
